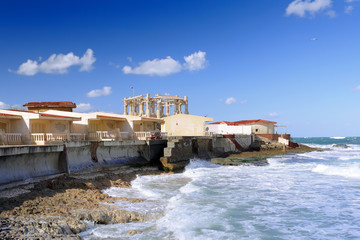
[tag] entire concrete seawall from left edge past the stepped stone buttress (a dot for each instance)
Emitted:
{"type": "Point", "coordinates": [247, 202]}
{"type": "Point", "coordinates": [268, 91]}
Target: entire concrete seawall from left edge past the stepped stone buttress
{"type": "Point", "coordinates": [19, 163]}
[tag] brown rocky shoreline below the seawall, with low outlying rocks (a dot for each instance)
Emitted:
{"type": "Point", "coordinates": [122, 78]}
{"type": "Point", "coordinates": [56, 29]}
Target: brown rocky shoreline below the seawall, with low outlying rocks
{"type": "Point", "coordinates": [67, 205]}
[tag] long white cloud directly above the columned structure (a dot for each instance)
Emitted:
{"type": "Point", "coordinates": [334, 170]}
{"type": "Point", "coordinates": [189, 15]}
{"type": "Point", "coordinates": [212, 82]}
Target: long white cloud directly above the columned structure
{"type": "Point", "coordinates": [168, 65]}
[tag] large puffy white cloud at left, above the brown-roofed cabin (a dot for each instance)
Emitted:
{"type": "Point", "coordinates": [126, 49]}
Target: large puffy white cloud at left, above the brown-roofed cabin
{"type": "Point", "coordinates": [58, 64]}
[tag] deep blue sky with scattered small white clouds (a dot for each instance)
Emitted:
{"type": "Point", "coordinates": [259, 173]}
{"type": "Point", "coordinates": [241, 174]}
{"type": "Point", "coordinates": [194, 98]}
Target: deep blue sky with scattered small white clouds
{"type": "Point", "coordinates": [296, 62]}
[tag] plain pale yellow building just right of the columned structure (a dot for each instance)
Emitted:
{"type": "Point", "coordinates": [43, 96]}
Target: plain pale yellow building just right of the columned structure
{"type": "Point", "coordinates": [185, 125]}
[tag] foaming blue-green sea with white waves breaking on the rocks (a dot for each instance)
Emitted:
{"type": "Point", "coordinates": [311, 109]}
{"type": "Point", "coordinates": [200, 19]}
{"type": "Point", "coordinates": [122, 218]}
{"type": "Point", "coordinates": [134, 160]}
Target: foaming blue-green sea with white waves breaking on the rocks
{"type": "Point", "coordinates": [314, 195]}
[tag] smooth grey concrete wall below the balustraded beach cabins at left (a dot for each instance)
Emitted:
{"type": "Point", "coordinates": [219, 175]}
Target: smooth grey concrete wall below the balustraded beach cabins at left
{"type": "Point", "coordinates": [26, 162]}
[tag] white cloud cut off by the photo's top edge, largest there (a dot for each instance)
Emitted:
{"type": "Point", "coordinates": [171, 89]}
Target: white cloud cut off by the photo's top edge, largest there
{"type": "Point", "coordinates": [301, 7]}
